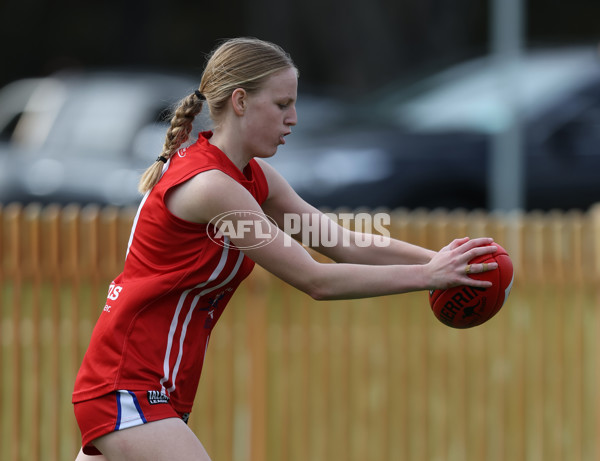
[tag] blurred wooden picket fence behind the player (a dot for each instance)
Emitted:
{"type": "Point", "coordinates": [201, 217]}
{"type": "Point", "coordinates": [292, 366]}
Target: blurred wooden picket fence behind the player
{"type": "Point", "coordinates": [288, 378]}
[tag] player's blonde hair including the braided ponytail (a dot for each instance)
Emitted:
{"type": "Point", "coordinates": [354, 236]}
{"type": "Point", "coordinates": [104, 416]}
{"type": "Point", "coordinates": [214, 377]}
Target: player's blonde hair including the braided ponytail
{"type": "Point", "coordinates": [237, 63]}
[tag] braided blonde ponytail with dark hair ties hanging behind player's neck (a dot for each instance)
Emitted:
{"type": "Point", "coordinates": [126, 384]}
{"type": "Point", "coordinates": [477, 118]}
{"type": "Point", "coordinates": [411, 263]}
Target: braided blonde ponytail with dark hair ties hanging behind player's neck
{"type": "Point", "coordinates": [177, 134]}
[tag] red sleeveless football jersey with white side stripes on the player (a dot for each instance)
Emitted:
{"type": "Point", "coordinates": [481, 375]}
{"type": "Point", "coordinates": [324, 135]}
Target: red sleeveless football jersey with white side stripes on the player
{"type": "Point", "coordinates": [160, 311]}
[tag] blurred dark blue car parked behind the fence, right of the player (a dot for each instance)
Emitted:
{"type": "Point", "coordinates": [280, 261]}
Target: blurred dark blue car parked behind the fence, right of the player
{"type": "Point", "coordinates": [428, 144]}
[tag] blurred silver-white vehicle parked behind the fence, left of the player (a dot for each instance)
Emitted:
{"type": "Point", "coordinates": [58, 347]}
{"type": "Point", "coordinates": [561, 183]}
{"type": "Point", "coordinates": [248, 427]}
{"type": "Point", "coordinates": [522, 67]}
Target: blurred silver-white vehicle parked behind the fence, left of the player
{"type": "Point", "coordinates": [83, 137]}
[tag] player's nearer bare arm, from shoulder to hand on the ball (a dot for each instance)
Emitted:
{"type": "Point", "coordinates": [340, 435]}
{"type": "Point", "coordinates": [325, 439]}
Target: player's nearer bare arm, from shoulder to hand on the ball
{"type": "Point", "coordinates": [213, 193]}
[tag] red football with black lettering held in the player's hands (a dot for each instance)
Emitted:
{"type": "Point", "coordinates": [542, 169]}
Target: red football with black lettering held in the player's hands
{"type": "Point", "coordinates": [466, 307]}
